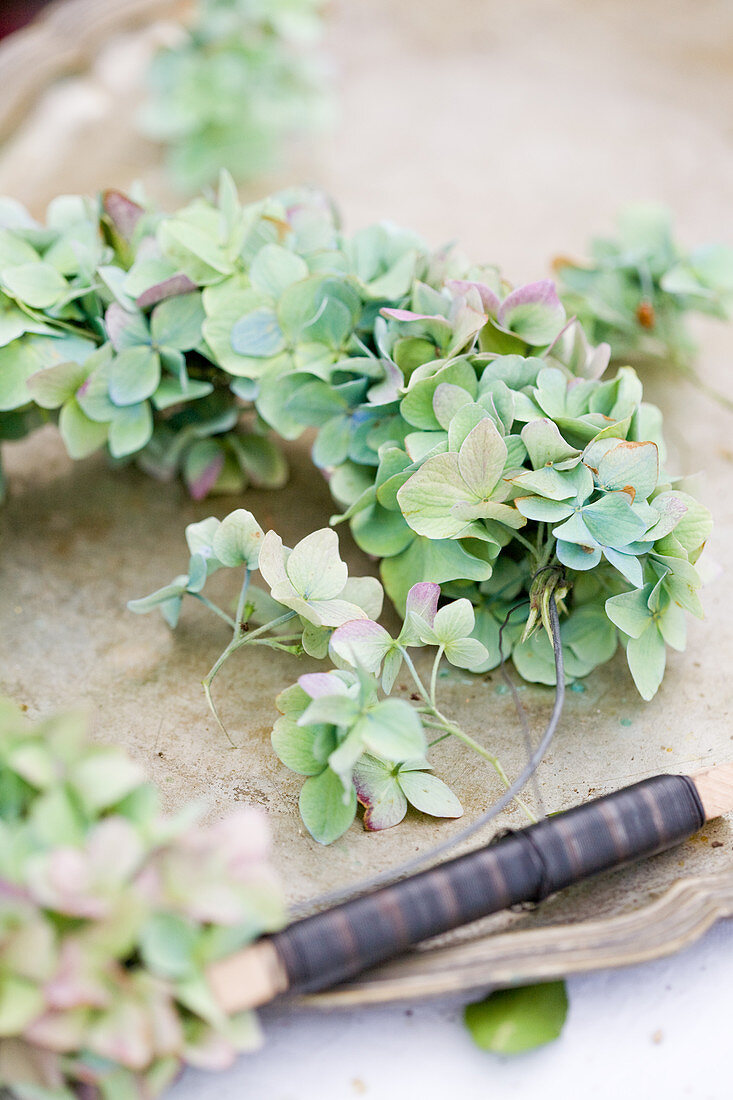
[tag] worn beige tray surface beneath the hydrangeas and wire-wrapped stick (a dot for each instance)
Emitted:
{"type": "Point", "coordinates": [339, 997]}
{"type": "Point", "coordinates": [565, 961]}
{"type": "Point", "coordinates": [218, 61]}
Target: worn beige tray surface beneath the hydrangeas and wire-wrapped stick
{"type": "Point", "coordinates": [518, 131]}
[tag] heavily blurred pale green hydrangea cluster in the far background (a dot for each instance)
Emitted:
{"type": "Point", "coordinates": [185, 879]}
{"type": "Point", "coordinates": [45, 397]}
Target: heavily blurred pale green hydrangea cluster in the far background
{"type": "Point", "coordinates": [244, 80]}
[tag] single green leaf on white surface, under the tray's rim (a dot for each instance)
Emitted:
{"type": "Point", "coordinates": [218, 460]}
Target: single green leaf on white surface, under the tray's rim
{"type": "Point", "coordinates": [512, 1021]}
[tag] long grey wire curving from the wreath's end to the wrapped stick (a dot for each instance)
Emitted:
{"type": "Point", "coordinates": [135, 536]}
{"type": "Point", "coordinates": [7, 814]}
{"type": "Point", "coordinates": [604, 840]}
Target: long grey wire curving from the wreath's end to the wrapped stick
{"type": "Point", "coordinates": [387, 878]}
